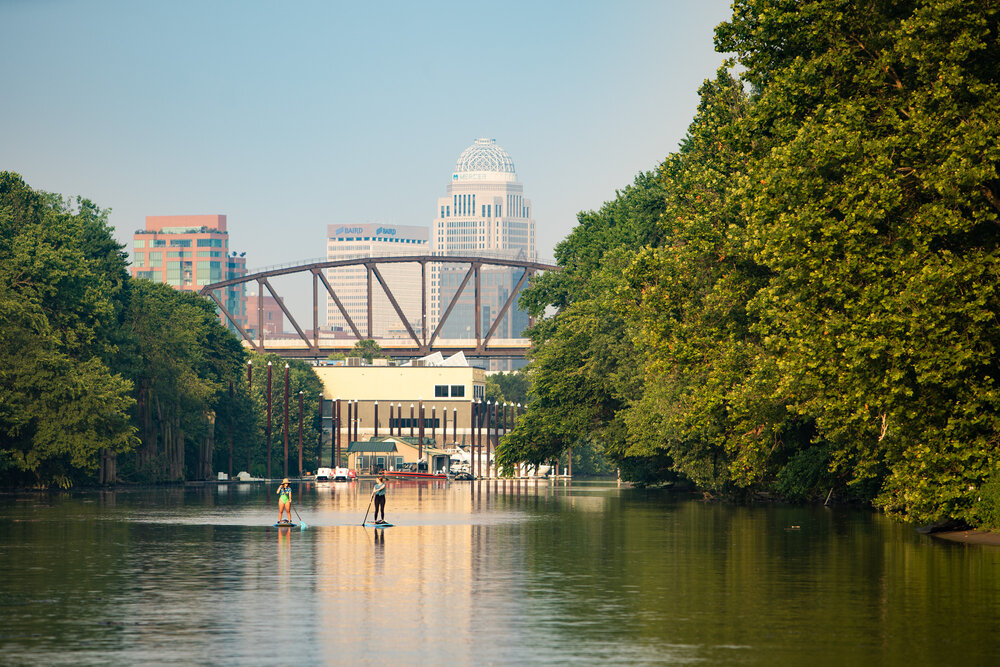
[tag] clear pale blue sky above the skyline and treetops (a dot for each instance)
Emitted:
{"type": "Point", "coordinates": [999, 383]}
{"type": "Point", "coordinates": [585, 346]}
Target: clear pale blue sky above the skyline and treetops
{"type": "Point", "coordinates": [288, 116]}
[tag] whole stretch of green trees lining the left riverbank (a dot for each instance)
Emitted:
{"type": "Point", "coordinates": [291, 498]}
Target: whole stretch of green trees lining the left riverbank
{"type": "Point", "coordinates": [96, 365]}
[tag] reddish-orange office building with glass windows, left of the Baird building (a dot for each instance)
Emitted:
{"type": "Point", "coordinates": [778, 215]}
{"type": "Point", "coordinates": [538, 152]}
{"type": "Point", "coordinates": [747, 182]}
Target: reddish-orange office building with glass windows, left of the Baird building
{"type": "Point", "coordinates": [188, 252]}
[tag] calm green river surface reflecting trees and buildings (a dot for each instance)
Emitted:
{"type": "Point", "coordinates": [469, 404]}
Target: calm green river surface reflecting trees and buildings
{"type": "Point", "coordinates": [480, 573]}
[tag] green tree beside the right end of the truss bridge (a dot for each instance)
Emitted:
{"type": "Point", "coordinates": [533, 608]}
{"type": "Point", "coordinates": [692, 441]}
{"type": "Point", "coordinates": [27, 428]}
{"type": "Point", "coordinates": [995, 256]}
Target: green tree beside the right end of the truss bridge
{"type": "Point", "coordinates": [582, 364]}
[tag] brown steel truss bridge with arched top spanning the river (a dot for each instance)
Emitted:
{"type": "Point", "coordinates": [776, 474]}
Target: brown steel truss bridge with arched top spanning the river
{"type": "Point", "coordinates": [415, 346]}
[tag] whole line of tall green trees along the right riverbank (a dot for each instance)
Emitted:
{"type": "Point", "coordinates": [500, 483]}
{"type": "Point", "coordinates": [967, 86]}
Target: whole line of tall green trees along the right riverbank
{"type": "Point", "coordinates": [802, 300]}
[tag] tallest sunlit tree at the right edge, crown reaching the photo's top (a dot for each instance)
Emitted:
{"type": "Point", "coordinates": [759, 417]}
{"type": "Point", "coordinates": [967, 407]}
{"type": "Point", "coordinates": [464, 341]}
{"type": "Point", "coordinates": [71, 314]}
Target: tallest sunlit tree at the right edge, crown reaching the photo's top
{"type": "Point", "coordinates": [873, 196]}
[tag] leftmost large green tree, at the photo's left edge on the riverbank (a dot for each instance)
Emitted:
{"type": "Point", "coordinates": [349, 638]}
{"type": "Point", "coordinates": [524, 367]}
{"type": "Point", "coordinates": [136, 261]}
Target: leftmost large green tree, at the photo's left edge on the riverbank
{"type": "Point", "coordinates": [61, 287]}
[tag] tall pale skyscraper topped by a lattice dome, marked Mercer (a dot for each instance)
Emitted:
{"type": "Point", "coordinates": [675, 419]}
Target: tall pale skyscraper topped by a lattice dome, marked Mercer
{"type": "Point", "coordinates": [483, 214]}
